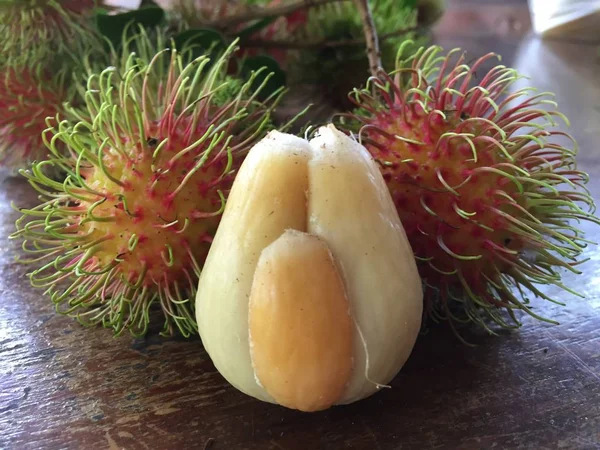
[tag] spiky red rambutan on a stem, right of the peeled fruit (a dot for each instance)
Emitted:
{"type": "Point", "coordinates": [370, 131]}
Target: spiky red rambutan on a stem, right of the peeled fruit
{"type": "Point", "coordinates": [485, 189]}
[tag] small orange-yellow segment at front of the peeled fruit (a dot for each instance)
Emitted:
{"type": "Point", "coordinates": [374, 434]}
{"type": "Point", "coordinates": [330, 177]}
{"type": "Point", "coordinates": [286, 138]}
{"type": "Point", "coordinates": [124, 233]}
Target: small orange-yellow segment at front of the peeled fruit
{"type": "Point", "coordinates": [301, 332]}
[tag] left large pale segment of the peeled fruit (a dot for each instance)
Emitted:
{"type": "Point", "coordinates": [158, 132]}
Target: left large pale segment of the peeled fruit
{"type": "Point", "coordinates": [267, 198]}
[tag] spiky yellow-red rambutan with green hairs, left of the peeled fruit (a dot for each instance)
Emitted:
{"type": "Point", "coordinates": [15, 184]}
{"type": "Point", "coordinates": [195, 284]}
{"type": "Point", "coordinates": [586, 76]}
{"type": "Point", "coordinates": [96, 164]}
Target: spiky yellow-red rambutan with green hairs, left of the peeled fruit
{"type": "Point", "coordinates": [148, 175]}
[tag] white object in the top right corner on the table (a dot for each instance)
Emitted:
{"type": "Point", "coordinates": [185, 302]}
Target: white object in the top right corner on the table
{"type": "Point", "coordinates": [578, 19]}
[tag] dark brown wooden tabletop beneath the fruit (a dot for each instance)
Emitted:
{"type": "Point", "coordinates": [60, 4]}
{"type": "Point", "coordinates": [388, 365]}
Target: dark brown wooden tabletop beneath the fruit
{"type": "Point", "coordinates": [64, 387]}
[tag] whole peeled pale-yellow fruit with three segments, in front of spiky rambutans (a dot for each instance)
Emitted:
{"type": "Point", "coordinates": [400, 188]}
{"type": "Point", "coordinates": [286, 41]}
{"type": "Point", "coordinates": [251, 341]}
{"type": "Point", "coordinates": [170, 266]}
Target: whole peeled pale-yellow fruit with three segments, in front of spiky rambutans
{"type": "Point", "coordinates": [318, 254]}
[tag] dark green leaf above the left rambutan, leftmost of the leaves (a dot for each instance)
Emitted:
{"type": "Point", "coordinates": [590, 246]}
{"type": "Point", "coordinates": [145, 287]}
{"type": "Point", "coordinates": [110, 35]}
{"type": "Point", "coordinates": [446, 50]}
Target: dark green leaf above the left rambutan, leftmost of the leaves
{"type": "Point", "coordinates": [113, 26]}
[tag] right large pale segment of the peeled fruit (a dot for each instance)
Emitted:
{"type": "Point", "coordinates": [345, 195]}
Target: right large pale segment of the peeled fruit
{"type": "Point", "coordinates": [350, 208]}
